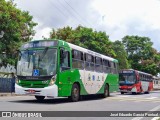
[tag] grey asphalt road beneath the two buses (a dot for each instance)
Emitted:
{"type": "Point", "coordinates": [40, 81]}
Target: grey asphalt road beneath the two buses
{"type": "Point", "coordinates": [116, 102]}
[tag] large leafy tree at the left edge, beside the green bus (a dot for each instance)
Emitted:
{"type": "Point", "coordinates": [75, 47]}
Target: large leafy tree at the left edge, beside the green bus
{"type": "Point", "coordinates": [17, 27]}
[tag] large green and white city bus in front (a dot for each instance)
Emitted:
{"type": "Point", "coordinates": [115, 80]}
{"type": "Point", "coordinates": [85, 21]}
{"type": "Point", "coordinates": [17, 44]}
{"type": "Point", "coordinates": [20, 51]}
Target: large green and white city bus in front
{"type": "Point", "coordinates": [57, 68]}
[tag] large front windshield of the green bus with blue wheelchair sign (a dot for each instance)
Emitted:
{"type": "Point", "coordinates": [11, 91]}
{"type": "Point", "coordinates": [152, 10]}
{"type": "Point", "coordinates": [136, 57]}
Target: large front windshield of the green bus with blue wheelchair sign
{"type": "Point", "coordinates": [40, 62]}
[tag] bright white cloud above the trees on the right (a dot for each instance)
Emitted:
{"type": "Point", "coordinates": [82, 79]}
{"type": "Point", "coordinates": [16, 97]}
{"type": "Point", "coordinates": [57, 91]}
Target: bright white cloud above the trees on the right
{"type": "Point", "coordinates": [130, 17]}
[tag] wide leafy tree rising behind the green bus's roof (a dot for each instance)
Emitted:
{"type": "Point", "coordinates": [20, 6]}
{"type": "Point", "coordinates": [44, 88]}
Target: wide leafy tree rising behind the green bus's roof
{"type": "Point", "coordinates": [85, 37]}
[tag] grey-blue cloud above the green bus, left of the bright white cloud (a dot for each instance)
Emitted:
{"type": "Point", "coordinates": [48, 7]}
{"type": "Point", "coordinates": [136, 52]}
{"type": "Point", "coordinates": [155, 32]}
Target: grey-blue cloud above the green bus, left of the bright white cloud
{"type": "Point", "coordinates": [57, 13]}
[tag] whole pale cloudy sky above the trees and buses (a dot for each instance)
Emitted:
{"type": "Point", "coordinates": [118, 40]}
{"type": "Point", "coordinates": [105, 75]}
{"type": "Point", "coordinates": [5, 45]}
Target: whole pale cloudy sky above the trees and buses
{"type": "Point", "coordinates": [117, 18]}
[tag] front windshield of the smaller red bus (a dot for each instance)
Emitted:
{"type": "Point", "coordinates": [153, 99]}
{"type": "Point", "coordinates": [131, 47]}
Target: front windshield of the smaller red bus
{"type": "Point", "coordinates": [127, 78]}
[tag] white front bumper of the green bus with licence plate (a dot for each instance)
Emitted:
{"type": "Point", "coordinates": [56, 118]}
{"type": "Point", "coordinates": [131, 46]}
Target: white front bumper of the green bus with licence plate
{"type": "Point", "coordinates": [47, 91]}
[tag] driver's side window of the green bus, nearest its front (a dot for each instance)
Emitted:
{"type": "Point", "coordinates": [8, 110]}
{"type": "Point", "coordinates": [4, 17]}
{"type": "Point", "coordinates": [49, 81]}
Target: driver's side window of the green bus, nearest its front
{"type": "Point", "coordinates": [64, 60]}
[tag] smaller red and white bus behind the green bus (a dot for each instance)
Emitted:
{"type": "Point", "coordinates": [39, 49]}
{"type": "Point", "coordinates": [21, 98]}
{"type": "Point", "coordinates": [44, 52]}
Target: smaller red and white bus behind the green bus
{"type": "Point", "coordinates": [134, 81]}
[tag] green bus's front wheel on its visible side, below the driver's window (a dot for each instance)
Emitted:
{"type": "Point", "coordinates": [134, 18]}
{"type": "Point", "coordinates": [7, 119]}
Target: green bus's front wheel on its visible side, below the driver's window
{"type": "Point", "coordinates": [75, 93]}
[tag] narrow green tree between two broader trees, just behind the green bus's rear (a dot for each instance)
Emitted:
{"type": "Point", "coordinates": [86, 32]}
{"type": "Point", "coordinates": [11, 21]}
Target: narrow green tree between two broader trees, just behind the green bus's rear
{"type": "Point", "coordinates": [121, 55]}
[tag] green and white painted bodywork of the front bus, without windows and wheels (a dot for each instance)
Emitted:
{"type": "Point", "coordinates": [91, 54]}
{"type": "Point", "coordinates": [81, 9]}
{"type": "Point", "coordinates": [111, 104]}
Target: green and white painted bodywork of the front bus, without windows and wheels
{"type": "Point", "coordinates": [90, 82]}
